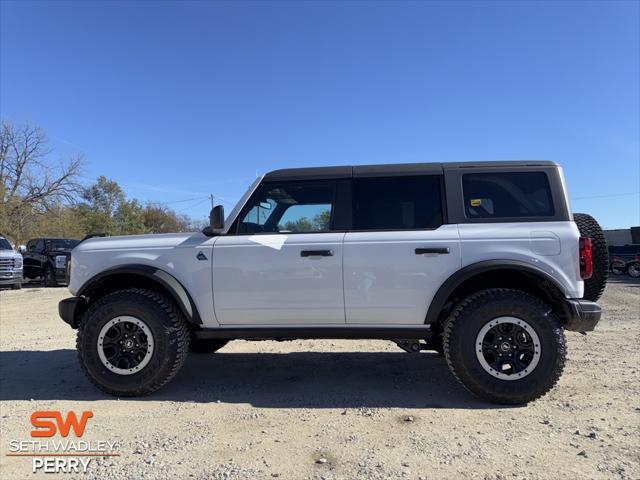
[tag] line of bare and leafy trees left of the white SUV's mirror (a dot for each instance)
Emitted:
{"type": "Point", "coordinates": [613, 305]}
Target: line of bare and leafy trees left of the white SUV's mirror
{"type": "Point", "coordinates": [42, 196]}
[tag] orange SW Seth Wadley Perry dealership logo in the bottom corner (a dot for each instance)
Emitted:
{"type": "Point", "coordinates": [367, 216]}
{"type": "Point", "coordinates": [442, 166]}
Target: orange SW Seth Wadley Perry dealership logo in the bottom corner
{"type": "Point", "coordinates": [57, 445]}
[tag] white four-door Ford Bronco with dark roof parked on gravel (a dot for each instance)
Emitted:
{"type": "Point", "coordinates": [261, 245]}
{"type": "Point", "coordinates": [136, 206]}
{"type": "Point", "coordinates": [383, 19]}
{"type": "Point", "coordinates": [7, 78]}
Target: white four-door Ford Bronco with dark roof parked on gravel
{"type": "Point", "coordinates": [483, 262]}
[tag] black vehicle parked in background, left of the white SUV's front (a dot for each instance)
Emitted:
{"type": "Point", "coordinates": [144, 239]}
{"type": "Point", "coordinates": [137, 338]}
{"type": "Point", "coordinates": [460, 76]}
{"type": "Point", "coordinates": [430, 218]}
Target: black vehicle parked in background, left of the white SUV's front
{"type": "Point", "coordinates": [46, 259]}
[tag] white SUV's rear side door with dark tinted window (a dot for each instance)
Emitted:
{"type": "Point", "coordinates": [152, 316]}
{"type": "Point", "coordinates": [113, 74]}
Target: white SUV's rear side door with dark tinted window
{"type": "Point", "coordinates": [399, 251]}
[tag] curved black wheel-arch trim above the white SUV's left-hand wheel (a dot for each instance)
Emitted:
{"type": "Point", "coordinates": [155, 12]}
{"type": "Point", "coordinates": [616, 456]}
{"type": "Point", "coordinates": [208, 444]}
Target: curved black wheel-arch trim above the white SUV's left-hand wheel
{"type": "Point", "coordinates": [169, 283]}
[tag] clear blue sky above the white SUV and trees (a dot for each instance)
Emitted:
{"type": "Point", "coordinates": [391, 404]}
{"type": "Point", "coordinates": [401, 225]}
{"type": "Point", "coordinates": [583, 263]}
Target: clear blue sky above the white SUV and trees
{"type": "Point", "coordinates": [179, 100]}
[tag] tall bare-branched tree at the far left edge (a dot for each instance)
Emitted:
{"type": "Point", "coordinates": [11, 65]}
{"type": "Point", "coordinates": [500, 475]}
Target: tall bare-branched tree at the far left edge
{"type": "Point", "coordinates": [30, 181]}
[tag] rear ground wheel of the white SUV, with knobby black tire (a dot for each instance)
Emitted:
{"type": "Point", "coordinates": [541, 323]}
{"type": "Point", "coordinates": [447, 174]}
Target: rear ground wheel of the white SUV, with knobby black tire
{"type": "Point", "coordinates": [505, 346]}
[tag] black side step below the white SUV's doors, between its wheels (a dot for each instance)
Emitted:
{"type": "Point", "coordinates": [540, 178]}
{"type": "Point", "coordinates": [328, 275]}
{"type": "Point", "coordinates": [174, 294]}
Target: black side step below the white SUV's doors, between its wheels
{"type": "Point", "coordinates": [291, 333]}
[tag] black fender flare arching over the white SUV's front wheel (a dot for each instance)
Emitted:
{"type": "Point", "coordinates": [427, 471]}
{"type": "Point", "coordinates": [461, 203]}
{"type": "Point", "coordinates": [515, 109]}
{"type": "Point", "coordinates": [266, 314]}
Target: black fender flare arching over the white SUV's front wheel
{"type": "Point", "coordinates": [140, 276]}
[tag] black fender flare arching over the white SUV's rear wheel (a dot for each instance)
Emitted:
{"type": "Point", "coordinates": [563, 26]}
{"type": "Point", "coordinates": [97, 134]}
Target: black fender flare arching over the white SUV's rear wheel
{"type": "Point", "coordinates": [494, 274]}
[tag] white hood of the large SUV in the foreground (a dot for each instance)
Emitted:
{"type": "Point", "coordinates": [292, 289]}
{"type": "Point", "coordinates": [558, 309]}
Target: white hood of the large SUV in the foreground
{"type": "Point", "coordinates": [137, 242]}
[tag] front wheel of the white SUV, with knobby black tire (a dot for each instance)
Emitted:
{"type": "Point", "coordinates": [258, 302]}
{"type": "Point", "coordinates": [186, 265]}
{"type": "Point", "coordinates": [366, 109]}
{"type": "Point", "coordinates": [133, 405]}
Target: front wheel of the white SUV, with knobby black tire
{"type": "Point", "coordinates": [132, 342]}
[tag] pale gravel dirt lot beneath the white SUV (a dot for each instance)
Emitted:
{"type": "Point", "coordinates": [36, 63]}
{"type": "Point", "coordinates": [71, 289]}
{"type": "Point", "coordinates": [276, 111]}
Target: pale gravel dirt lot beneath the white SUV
{"type": "Point", "coordinates": [330, 409]}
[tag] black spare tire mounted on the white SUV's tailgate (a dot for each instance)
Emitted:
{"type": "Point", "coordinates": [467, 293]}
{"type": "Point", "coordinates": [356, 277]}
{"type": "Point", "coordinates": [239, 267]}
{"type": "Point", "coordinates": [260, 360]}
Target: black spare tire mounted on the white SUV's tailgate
{"type": "Point", "coordinates": [594, 286]}
